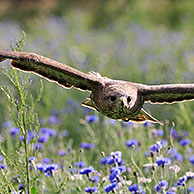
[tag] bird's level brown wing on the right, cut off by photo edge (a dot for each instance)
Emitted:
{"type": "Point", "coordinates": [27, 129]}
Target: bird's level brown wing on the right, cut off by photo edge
{"type": "Point", "coordinates": [169, 93]}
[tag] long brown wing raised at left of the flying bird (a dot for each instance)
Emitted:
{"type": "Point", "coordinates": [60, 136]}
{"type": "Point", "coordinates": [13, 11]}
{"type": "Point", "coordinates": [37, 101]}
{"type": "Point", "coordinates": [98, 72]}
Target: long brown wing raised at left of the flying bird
{"type": "Point", "coordinates": [52, 70]}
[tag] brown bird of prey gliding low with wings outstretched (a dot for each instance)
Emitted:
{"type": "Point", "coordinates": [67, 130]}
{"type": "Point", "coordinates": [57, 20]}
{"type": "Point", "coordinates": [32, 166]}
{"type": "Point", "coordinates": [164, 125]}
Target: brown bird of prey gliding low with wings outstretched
{"type": "Point", "coordinates": [115, 99]}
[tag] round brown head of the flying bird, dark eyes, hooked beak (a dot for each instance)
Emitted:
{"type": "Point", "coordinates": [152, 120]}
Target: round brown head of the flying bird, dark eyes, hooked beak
{"type": "Point", "coordinates": [119, 101]}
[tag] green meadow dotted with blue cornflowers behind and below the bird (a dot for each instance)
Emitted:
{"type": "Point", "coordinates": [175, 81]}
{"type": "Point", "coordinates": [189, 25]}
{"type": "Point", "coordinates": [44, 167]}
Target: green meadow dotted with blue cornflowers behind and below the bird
{"type": "Point", "coordinates": [50, 144]}
